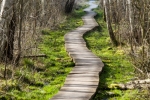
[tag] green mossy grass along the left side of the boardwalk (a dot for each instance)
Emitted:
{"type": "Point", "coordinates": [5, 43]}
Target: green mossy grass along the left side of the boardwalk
{"type": "Point", "coordinates": [41, 78]}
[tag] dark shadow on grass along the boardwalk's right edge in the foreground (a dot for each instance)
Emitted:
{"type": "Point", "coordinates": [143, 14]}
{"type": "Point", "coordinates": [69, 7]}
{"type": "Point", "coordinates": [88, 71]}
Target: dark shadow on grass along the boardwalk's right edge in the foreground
{"type": "Point", "coordinates": [103, 93]}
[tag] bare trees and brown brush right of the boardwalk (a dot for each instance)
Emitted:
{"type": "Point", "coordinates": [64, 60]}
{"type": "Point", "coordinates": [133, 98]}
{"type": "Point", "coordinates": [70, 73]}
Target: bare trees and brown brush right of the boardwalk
{"type": "Point", "coordinates": [131, 24]}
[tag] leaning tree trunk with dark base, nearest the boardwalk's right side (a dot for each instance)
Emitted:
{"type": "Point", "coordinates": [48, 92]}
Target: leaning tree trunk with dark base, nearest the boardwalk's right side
{"type": "Point", "coordinates": [107, 14]}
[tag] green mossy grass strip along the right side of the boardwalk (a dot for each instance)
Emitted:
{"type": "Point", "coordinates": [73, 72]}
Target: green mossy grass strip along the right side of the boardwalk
{"type": "Point", "coordinates": [117, 69]}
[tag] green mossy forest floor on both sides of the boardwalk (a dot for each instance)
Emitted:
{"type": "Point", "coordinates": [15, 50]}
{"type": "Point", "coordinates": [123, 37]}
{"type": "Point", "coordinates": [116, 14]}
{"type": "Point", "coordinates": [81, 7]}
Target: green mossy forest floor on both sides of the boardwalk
{"type": "Point", "coordinates": [41, 78]}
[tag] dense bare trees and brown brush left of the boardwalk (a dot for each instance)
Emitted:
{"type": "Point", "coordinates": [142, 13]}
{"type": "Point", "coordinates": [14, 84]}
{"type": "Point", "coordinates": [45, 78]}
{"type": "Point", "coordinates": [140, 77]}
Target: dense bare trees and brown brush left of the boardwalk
{"type": "Point", "coordinates": [20, 22]}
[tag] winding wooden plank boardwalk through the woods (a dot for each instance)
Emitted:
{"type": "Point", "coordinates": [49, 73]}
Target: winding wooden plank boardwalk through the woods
{"type": "Point", "coordinates": [82, 82]}
